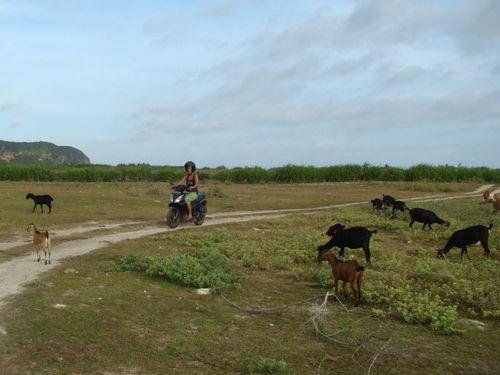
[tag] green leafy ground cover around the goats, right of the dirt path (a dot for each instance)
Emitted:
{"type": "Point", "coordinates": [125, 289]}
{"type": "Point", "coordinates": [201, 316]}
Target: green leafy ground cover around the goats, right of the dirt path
{"type": "Point", "coordinates": [406, 280]}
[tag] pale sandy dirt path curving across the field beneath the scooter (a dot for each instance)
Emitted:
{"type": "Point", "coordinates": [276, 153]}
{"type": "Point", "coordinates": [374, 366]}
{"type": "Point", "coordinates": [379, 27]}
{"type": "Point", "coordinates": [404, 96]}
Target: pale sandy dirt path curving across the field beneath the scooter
{"type": "Point", "coordinates": [14, 274]}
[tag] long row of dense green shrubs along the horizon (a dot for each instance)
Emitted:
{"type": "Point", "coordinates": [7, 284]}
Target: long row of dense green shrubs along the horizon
{"type": "Point", "coordinates": [285, 174]}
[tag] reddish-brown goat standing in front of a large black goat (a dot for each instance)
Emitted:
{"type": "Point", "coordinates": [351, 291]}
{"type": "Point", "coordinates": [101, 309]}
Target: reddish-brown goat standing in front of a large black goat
{"type": "Point", "coordinates": [349, 271]}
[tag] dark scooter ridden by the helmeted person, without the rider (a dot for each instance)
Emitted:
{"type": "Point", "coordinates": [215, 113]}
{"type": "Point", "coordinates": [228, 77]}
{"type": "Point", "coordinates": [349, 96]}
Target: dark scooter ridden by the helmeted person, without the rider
{"type": "Point", "coordinates": [177, 208]}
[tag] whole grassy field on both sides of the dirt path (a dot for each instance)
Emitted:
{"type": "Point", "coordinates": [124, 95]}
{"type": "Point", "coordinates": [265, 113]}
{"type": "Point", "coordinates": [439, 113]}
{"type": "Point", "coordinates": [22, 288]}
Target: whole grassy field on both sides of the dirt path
{"type": "Point", "coordinates": [418, 314]}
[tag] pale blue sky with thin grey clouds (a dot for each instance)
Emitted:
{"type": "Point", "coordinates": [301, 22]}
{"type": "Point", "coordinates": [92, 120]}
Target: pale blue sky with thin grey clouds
{"type": "Point", "coordinates": [255, 83]}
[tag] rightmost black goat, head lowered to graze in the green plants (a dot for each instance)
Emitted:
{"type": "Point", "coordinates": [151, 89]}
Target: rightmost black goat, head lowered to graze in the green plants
{"type": "Point", "coordinates": [468, 236]}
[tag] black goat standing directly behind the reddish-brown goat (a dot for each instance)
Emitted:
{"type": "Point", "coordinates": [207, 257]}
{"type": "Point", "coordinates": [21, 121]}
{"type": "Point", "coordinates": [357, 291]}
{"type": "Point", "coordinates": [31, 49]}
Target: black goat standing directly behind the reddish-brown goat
{"type": "Point", "coordinates": [353, 238]}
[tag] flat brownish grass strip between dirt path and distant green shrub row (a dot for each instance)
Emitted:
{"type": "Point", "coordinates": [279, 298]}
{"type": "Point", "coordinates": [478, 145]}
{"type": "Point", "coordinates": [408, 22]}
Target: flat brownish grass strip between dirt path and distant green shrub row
{"type": "Point", "coordinates": [77, 204]}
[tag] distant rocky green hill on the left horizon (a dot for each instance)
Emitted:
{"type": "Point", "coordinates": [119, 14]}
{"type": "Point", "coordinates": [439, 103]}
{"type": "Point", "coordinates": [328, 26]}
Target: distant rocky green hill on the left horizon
{"type": "Point", "coordinates": [40, 152]}
